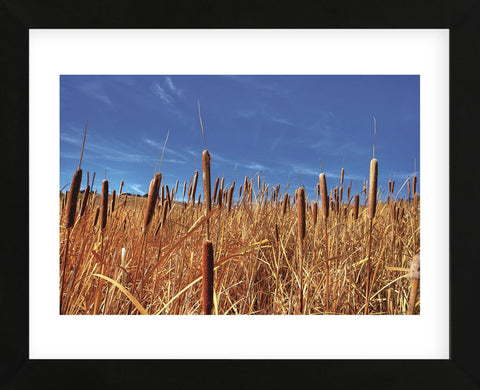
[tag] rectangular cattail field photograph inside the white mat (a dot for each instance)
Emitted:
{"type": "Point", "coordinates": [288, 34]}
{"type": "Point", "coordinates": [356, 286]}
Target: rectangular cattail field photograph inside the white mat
{"type": "Point", "coordinates": [231, 194]}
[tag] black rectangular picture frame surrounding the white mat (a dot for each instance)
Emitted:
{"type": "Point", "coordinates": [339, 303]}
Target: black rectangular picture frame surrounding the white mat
{"type": "Point", "coordinates": [460, 371]}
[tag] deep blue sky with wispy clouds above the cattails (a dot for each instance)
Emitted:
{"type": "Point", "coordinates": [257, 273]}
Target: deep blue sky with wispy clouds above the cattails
{"type": "Point", "coordinates": [272, 125]}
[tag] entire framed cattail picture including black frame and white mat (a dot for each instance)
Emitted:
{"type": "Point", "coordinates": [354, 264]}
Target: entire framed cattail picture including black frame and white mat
{"type": "Point", "coordinates": [274, 109]}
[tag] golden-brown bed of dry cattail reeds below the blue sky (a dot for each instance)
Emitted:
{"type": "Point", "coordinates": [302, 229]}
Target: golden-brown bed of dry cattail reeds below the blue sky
{"type": "Point", "coordinates": [262, 254]}
